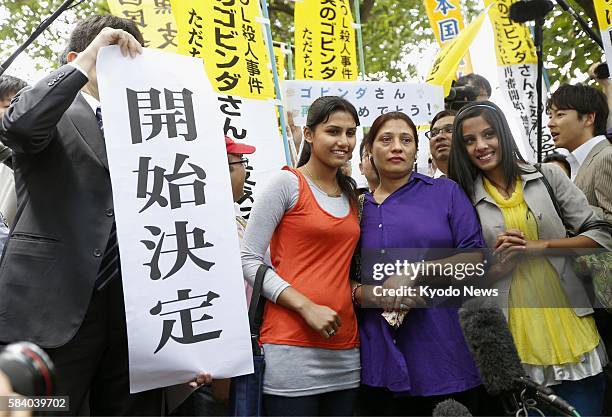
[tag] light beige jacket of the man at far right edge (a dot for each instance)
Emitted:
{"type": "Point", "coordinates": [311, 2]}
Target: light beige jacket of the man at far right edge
{"type": "Point", "coordinates": [594, 178]}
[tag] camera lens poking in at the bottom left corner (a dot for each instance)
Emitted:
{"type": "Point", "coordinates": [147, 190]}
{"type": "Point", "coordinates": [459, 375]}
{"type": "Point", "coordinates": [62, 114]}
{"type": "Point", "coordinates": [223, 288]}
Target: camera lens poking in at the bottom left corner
{"type": "Point", "coordinates": [28, 368]}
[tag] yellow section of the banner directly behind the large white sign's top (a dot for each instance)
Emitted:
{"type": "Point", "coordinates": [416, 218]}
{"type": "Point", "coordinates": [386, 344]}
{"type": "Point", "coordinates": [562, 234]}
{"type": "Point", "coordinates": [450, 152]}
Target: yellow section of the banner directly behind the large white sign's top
{"type": "Point", "coordinates": [228, 36]}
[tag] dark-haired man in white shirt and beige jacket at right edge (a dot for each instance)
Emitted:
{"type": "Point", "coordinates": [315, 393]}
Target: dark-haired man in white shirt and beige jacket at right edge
{"type": "Point", "coordinates": [578, 117]}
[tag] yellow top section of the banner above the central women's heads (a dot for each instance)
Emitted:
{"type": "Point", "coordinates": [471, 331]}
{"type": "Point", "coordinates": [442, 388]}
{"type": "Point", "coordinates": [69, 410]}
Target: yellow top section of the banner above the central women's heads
{"type": "Point", "coordinates": [324, 41]}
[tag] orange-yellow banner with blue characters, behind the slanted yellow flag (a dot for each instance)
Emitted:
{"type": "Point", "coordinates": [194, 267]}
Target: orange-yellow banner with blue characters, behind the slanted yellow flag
{"type": "Point", "coordinates": [447, 21]}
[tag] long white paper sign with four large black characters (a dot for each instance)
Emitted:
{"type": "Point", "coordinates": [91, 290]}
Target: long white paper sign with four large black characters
{"type": "Point", "coordinates": [182, 278]}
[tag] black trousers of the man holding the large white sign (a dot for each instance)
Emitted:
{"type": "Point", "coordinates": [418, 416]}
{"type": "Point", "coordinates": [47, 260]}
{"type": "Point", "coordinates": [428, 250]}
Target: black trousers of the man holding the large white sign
{"type": "Point", "coordinates": [94, 364]}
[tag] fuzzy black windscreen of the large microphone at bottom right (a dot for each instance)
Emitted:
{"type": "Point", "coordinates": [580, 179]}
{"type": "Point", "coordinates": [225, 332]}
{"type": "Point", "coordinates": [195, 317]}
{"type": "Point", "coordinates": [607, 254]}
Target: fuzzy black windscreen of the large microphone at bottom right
{"type": "Point", "coordinates": [490, 341]}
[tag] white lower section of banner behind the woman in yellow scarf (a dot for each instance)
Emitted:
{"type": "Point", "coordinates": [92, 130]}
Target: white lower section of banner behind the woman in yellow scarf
{"type": "Point", "coordinates": [518, 86]}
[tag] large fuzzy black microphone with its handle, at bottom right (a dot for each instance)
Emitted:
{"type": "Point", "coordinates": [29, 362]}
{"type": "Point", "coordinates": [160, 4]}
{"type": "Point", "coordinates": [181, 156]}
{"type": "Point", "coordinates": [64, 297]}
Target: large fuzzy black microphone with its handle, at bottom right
{"type": "Point", "coordinates": [490, 341]}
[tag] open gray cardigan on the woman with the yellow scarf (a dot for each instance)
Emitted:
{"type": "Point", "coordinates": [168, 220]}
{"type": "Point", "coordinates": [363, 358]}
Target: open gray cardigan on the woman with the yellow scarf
{"type": "Point", "coordinates": [575, 209]}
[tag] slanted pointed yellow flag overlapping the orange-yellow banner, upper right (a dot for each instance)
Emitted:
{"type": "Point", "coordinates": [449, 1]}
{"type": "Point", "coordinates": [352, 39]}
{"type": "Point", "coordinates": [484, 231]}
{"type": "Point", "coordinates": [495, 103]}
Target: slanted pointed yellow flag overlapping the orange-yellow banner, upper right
{"type": "Point", "coordinates": [445, 65]}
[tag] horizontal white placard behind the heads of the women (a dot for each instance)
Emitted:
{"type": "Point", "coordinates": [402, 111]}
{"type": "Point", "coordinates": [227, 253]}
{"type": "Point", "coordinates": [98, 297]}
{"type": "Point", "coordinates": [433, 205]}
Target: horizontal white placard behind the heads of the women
{"type": "Point", "coordinates": [371, 98]}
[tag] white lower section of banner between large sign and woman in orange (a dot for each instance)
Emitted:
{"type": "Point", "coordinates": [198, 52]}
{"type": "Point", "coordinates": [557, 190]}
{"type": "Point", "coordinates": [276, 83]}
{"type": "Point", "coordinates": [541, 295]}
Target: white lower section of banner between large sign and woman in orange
{"type": "Point", "coordinates": [253, 122]}
